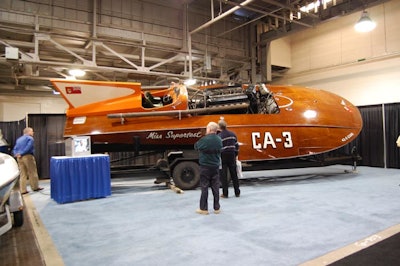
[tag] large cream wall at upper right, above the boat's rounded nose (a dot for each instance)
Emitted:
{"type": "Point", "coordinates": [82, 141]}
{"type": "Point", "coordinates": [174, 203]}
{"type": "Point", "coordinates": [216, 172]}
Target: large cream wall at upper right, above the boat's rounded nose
{"type": "Point", "coordinates": [362, 67]}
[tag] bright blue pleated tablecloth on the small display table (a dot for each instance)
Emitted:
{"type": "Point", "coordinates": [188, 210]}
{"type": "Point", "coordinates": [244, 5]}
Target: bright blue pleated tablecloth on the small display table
{"type": "Point", "coordinates": [79, 178]}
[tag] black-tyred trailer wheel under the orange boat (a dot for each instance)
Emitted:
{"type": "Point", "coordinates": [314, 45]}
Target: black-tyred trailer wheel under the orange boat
{"type": "Point", "coordinates": [186, 175]}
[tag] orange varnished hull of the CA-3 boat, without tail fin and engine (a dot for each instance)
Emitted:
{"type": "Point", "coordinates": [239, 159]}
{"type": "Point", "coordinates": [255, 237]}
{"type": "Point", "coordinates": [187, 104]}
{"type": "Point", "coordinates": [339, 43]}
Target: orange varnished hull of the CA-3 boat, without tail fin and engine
{"type": "Point", "coordinates": [309, 122]}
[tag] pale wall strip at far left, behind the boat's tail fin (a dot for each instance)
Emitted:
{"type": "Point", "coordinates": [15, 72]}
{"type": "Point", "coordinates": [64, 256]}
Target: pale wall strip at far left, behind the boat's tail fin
{"type": "Point", "coordinates": [15, 108]}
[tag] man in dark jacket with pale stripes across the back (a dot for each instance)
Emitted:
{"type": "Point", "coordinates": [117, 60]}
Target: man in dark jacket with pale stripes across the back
{"type": "Point", "coordinates": [228, 157]}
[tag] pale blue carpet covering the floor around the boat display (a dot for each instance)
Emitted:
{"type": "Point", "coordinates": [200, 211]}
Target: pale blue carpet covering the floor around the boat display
{"type": "Point", "coordinates": [283, 217]}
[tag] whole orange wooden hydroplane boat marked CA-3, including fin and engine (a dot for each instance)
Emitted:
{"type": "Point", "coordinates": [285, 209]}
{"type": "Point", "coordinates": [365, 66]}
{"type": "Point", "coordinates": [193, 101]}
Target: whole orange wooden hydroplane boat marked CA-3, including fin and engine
{"type": "Point", "coordinates": [271, 123]}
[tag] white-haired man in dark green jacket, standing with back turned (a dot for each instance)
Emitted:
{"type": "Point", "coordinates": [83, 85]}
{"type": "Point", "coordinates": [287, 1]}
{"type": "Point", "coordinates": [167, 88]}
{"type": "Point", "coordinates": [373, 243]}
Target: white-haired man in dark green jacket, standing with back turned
{"type": "Point", "coordinates": [209, 148]}
